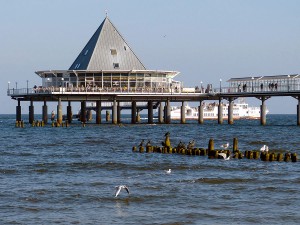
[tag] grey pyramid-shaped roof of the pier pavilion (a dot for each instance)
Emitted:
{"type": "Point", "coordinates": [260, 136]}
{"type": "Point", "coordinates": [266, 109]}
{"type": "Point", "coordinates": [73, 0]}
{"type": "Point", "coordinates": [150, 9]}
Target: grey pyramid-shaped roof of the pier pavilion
{"type": "Point", "coordinates": [107, 50]}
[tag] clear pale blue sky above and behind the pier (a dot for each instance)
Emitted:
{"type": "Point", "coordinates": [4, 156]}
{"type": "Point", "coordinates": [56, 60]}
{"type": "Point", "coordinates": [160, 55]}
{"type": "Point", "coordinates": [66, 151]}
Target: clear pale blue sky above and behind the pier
{"type": "Point", "coordinates": [205, 40]}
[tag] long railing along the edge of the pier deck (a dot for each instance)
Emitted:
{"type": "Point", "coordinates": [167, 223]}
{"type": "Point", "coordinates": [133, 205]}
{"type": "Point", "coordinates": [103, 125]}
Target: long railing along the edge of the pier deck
{"type": "Point", "coordinates": [184, 91]}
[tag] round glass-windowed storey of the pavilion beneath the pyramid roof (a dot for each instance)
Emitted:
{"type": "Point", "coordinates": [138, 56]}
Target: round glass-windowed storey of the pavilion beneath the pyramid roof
{"type": "Point", "coordinates": [124, 81]}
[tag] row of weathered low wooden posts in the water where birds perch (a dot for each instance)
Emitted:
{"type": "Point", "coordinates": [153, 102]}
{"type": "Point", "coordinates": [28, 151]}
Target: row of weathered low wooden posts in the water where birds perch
{"type": "Point", "coordinates": [211, 153]}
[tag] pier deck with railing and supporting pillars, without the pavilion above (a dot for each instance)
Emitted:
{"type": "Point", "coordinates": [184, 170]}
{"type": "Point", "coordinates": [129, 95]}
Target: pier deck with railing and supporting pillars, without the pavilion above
{"type": "Point", "coordinates": [136, 101]}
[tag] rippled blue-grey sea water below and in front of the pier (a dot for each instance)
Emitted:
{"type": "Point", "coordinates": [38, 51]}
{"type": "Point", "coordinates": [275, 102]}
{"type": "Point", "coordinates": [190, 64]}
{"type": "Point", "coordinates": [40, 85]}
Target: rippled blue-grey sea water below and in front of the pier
{"type": "Point", "coordinates": [68, 175]}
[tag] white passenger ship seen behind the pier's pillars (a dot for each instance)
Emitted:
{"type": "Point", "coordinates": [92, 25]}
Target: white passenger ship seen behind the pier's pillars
{"type": "Point", "coordinates": [241, 110]}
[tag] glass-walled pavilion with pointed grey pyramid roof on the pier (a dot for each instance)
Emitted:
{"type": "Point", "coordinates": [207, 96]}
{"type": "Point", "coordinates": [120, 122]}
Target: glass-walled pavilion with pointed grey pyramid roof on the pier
{"type": "Point", "coordinates": [107, 63]}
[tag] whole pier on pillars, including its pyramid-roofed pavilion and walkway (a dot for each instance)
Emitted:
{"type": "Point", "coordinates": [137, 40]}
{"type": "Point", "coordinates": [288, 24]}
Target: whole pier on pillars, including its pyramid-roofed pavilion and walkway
{"type": "Point", "coordinates": [108, 74]}
